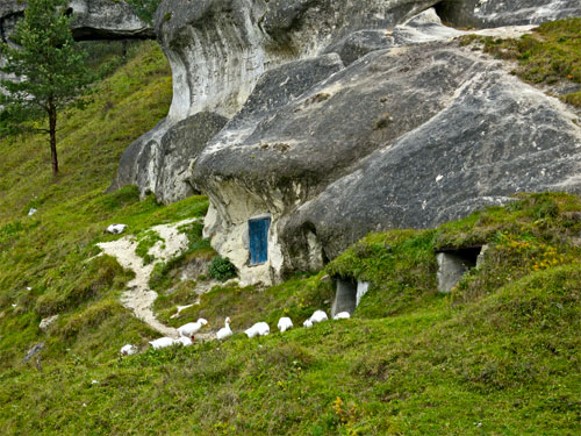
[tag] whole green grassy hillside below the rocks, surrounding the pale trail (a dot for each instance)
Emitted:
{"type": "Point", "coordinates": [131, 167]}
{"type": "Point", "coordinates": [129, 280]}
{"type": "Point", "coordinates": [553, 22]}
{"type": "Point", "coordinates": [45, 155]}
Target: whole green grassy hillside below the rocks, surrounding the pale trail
{"type": "Point", "coordinates": [498, 355]}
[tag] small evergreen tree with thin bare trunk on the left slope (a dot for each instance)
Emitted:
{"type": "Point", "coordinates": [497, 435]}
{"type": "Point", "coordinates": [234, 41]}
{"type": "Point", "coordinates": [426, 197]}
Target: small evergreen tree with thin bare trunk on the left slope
{"type": "Point", "coordinates": [49, 67]}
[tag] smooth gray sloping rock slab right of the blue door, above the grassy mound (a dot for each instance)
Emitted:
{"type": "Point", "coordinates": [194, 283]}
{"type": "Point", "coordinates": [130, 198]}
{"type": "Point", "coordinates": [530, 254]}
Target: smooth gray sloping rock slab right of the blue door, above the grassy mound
{"type": "Point", "coordinates": [496, 137]}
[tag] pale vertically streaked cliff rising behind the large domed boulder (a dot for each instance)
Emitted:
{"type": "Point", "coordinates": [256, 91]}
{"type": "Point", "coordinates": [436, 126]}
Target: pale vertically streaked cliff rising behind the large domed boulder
{"type": "Point", "coordinates": [219, 50]}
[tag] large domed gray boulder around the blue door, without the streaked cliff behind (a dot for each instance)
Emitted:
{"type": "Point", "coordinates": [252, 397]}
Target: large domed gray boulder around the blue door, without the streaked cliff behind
{"type": "Point", "coordinates": [407, 137]}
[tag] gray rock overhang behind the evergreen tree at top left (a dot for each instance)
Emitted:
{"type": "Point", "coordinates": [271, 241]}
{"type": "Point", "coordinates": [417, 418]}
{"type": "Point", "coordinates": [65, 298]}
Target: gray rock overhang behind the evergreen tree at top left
{"type": "Point", "coordinates": [93, 19]}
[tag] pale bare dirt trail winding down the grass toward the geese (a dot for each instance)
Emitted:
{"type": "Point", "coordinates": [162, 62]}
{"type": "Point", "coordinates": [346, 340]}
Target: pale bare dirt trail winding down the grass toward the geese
{"type": "Point", "coordinates": [138, 297]}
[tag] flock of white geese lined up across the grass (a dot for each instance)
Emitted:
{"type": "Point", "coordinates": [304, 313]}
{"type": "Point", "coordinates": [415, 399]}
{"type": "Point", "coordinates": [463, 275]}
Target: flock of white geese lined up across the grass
{"type": "Point", "coordinates": [187, 331]}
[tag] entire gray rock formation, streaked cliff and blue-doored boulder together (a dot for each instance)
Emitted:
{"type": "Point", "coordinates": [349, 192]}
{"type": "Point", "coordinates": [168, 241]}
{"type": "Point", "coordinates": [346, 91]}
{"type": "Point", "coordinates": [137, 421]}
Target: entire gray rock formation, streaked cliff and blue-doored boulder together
{"type": "Point", "coordinates": [341, 122]}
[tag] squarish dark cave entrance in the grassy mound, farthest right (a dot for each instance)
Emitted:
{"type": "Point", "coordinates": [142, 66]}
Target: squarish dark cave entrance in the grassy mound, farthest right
{"type": "Point", "coordinates": [453, 264]}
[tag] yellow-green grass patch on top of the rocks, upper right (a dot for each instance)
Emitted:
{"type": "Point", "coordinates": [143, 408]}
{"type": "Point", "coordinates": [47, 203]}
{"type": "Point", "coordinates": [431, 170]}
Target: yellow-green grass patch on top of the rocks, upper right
{"type": "Point", "coordinates": [551, 54]}
